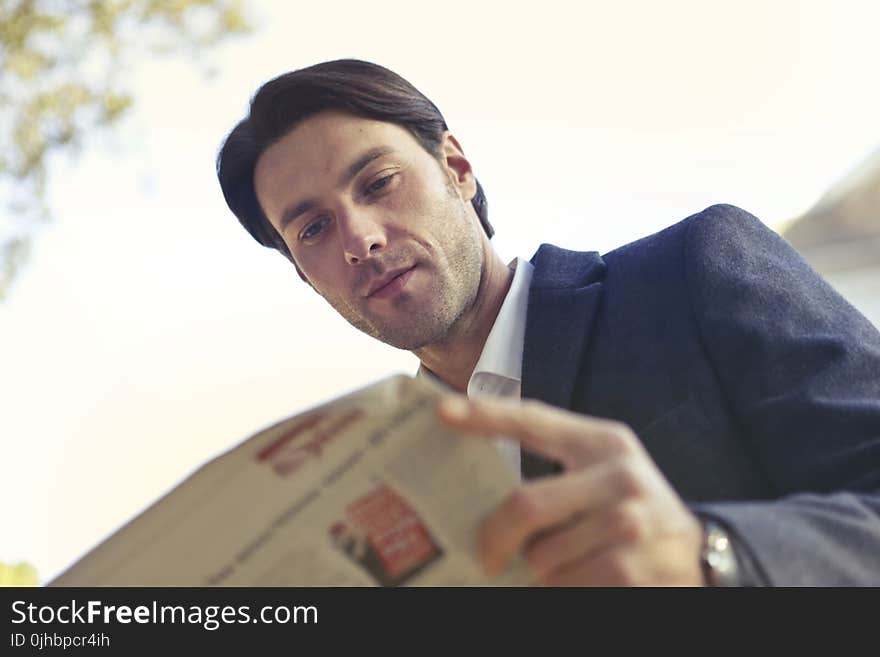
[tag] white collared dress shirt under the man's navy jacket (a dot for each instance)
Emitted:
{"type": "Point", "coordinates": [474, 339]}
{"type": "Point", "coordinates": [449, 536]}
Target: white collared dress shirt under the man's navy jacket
{"type": "Point", "coordinates": [498, 371]}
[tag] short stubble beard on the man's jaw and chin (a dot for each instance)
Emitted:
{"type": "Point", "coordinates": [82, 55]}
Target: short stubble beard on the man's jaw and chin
{"type": "Point", "coordinates": [454, 282]}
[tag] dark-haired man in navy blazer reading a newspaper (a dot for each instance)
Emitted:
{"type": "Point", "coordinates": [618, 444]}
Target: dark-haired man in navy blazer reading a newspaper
{"type": "Point", "coordinates": [709, 408]}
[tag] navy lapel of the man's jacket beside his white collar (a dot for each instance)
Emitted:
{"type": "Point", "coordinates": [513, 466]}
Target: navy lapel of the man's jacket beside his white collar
{"type": "Point", "coordinates": [563, 298]}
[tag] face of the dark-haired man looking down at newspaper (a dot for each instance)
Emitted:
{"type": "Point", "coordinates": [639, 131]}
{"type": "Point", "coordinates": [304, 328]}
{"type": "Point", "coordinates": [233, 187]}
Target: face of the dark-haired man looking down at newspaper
{"type": "Point", "coordinates": [380, 228]}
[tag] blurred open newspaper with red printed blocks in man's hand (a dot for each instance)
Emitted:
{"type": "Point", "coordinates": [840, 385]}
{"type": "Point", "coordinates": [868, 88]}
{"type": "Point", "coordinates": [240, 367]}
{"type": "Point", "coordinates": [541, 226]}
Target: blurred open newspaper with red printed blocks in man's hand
{"type": "Point", "coordinates": [366, 490]}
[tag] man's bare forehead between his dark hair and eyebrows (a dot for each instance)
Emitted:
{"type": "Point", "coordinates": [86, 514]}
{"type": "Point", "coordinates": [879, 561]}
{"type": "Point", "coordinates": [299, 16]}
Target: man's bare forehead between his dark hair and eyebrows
{"type": "Point", "coordinates": [322, 146]}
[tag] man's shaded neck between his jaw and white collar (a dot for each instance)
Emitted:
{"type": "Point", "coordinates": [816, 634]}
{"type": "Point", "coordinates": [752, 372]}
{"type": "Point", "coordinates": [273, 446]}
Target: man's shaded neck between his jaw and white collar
{"type": "Point", "coordinates": [453, 360]}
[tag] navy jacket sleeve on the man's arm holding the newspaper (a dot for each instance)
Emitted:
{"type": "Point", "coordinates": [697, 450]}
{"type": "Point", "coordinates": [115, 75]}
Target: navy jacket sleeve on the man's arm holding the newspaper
{"type": "Point", "coordinates": [800, 370]}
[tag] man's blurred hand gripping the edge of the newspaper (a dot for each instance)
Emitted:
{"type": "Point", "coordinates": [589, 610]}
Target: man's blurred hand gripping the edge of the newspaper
{"type": "Point", "coordinates": [610, 518]}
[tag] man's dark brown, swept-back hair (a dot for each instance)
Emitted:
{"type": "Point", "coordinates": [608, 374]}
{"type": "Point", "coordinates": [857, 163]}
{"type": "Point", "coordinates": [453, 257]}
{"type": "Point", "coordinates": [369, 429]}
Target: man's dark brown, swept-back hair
{"type": "Point", "coordinates": [349, 85]}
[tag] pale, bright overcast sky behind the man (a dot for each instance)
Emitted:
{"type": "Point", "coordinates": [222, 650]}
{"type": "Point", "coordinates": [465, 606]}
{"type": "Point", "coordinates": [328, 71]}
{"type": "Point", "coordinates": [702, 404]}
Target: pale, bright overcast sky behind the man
{"type": "Point", "coordinates": [149, 333]}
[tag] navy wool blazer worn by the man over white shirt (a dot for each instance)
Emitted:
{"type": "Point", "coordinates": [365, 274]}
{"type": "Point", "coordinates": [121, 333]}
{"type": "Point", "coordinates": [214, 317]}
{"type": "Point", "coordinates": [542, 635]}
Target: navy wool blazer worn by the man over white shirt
{"type": "Point", "coordinates": [754, 385]}
